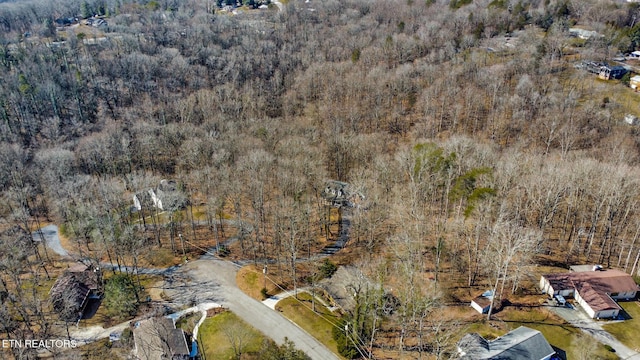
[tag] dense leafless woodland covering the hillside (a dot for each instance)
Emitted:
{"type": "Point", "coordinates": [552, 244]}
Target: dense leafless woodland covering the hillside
{"type": "Point", "coordinates": [477, 160]}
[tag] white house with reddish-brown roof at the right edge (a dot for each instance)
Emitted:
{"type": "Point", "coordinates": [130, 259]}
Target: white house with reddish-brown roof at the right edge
{"type": "Point", "coordinates": [596, 290]}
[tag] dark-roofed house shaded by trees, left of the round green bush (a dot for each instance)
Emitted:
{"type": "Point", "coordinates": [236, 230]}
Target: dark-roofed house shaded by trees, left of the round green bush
{"type": "Point", "coordinates": [72, 290]}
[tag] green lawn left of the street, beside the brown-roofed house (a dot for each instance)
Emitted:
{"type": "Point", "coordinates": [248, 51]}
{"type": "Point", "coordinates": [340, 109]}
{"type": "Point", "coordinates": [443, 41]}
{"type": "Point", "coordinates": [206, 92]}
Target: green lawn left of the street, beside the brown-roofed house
{"type": "Point", "coordinates": [218, 335]}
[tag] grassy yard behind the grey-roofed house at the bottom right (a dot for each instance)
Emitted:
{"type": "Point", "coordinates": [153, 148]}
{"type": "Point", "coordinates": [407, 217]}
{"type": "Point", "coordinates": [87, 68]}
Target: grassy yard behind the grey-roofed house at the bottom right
{"type": "Point", "coordinates": [559, 334]}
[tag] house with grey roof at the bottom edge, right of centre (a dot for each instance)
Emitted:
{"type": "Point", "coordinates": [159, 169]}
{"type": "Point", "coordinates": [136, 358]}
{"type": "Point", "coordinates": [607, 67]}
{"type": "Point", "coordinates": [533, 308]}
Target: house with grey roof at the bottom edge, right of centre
{"type": "Point", "coordinates": [518, 344]}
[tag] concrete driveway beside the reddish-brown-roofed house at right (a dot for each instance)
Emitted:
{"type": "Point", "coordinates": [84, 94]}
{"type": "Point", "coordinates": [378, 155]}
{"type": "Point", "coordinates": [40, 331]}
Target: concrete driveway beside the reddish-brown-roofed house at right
{"type": "Point", "coordinates": [582, 321]}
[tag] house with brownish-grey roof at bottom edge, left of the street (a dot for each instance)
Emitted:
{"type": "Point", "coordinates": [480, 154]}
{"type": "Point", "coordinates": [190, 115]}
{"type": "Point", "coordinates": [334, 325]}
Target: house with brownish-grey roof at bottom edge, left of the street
{"type": "Point", "coordinates": [158, 339]}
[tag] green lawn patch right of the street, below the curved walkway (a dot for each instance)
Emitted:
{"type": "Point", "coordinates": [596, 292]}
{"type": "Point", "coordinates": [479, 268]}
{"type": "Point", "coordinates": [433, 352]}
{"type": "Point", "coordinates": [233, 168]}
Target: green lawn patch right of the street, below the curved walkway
{"type": "Point", "coordinates": [318, 324]}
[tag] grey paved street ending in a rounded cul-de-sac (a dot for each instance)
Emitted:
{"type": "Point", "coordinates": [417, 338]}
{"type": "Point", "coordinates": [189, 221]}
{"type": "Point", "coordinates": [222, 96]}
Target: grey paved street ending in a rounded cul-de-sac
{"type": "Point", "coordinates": [212, 278]}
